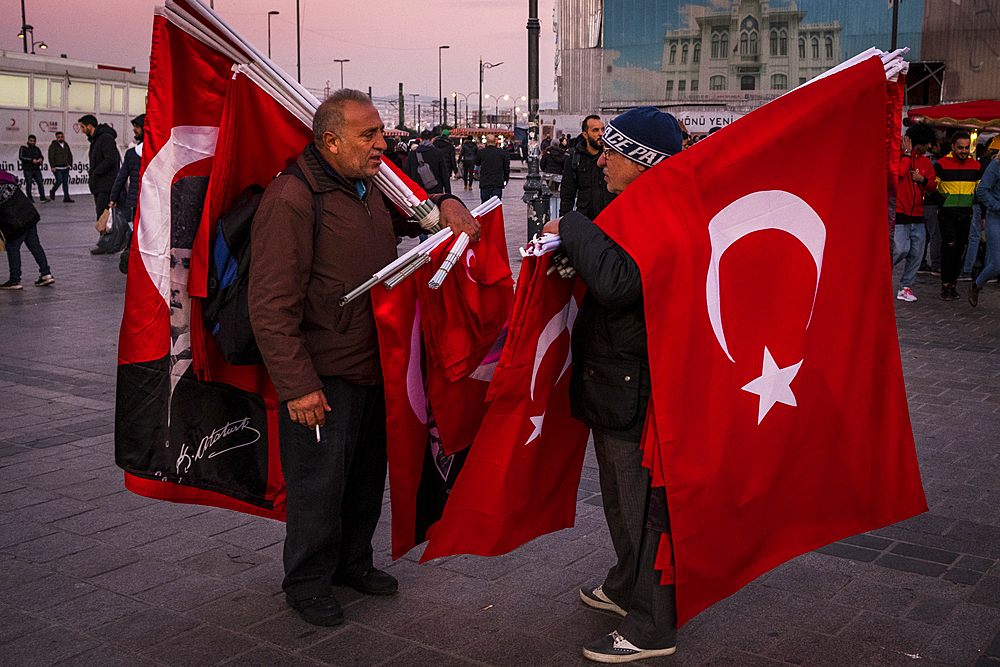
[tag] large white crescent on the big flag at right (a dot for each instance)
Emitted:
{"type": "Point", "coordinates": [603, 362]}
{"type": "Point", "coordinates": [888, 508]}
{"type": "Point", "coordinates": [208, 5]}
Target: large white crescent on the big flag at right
{"type": "Point", "coordinates": [768, 209]}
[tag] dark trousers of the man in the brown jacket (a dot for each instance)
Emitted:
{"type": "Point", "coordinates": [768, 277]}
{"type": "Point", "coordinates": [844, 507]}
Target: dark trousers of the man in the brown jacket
{"type": "Point", "coordinates": [333, 488]}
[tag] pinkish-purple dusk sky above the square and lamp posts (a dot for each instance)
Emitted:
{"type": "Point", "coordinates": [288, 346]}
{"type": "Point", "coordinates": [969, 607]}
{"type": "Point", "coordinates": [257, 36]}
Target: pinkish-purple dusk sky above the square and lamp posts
{"type": "Point", "coordinates": [387, 41]}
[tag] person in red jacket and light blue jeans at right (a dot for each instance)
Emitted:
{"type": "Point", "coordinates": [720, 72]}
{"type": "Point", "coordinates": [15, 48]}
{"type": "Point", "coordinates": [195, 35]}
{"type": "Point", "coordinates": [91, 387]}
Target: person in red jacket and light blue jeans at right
{"type": "Point", "coordinates": [916, 178]}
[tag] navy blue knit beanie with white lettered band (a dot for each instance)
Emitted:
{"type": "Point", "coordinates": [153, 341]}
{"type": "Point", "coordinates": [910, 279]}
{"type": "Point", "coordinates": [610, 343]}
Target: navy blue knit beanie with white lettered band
{"type": "Point", "coordinates": [645, 135]}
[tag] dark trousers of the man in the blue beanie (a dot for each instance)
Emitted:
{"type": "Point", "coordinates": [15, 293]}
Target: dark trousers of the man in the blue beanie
{"type": "Point", "coordinates": [633, 583]}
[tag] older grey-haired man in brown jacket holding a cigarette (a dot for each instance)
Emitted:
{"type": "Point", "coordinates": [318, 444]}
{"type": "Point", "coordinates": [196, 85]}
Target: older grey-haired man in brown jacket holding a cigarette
{"type": "Point", "coordinates": [324, 358]}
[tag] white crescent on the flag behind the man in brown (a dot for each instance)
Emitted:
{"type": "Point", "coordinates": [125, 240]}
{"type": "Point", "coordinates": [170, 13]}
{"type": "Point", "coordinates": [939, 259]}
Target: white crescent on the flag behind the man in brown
{"type": "Point", "coordinates": [187, 144]}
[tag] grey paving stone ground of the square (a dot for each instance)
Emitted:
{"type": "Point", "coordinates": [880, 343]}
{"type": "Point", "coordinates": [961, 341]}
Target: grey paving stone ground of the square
{"type": "Point", "coordinates": [94, 575]}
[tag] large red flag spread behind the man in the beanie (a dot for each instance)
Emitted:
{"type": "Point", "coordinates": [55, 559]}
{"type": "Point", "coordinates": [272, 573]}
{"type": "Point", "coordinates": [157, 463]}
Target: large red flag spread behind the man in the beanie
{"type": "Point", "coordinates": [743, 496]}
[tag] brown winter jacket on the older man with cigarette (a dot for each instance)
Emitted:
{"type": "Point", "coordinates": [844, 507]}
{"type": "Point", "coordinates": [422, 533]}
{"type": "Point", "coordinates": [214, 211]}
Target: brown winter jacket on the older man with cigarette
{"type": "Point", "coordinates": [302, 332]}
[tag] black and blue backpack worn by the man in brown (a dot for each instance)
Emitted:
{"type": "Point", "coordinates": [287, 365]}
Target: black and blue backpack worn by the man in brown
{"type": "Point", "coordinates": [226, 311]}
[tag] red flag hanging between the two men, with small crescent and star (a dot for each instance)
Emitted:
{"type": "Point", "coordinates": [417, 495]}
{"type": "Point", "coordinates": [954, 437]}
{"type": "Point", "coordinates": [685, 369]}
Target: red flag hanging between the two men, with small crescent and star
{"type": "Point", "coordinates": [523, 470]}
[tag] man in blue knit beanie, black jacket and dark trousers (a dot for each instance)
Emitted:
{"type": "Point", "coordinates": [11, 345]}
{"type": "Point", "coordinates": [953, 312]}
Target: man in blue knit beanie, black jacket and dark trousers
{"type": "Point", "coordinates": [609, 392]}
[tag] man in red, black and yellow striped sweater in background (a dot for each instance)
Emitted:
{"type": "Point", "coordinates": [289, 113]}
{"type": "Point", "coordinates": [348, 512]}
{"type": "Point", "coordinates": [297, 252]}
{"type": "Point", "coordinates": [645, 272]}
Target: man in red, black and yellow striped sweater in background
{"type": "Point", "coordinates": [958, 175]}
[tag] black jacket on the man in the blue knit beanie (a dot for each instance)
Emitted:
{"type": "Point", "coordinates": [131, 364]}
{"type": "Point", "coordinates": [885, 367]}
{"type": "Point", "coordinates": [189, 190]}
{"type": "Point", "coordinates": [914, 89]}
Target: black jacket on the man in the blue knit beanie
{"type": "Point", "coordinates": [609, 385]}
